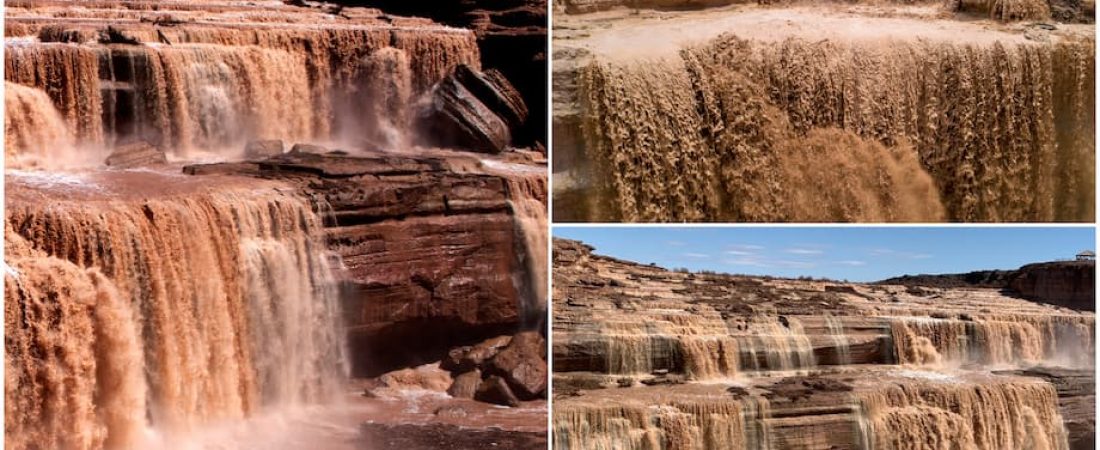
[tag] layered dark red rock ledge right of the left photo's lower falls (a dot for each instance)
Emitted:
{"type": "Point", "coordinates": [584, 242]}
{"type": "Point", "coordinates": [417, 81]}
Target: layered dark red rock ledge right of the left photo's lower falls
{"type": "Point", "coordinates": [428, 247]}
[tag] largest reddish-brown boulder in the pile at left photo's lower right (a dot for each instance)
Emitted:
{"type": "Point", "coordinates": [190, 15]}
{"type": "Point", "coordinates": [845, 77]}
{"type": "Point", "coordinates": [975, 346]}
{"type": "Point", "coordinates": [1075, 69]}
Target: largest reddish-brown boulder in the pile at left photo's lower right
{"type": "Point", "coordinates": [523, 366]}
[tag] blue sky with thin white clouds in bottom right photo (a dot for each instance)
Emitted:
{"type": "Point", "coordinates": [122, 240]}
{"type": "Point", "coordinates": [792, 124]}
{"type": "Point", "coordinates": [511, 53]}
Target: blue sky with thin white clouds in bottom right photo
{"type": "Point", "coordinates": [862, 255]}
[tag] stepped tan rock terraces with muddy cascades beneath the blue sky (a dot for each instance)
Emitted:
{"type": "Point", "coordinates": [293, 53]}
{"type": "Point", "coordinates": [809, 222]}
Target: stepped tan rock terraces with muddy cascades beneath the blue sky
{"type": "Point", "coordinates": [641, 353]}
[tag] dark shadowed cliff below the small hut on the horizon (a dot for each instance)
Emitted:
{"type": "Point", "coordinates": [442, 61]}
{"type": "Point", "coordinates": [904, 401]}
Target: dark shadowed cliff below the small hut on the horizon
{"type": "Point", "coordinates": [1071, 284]}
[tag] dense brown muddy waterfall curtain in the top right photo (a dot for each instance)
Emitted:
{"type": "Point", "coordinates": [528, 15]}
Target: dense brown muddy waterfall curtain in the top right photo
{"type": "Point", "coordinates": [739, 130]}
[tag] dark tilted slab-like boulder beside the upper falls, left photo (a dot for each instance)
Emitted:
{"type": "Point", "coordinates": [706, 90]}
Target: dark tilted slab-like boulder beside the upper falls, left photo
{"type": "Point", "coordinates": [474, 111]}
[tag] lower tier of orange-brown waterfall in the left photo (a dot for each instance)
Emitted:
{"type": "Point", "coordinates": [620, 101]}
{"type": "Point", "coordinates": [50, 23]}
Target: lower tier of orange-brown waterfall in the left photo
{"type": "Point", "coordinates": [219, 305]}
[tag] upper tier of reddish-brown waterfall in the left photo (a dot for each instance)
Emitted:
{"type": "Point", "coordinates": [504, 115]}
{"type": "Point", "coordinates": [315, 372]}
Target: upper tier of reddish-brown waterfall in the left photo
{"type": "Point", "coordinates": [213, 90]}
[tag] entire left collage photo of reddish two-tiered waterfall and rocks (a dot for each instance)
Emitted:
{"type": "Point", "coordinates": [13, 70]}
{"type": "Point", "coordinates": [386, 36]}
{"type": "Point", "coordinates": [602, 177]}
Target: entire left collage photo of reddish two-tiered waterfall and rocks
{"type": "Point", "coordinates": [276, 225]}
